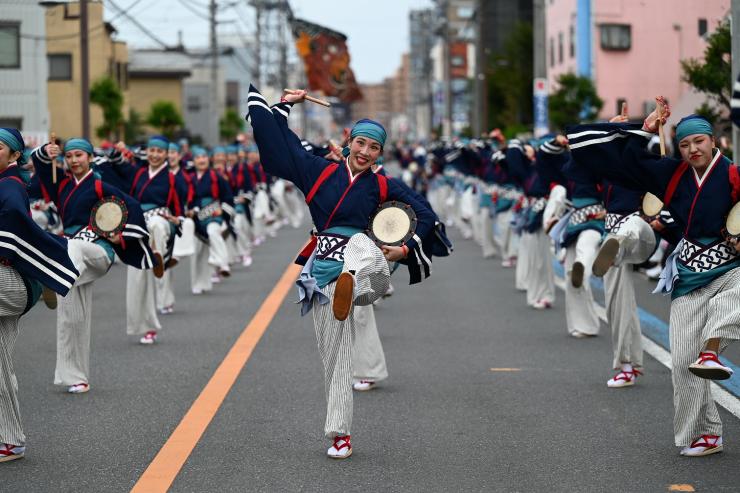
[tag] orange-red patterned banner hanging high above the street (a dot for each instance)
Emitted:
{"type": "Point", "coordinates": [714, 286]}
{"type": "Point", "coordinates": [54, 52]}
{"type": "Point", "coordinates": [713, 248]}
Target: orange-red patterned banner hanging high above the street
{"type": "Point", "coordinates": [326, 60]}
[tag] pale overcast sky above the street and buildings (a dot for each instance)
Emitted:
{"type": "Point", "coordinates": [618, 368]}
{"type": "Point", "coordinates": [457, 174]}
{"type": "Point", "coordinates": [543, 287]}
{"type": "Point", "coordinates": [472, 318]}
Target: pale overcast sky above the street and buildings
{"type": "Point", "coordinates": [377, 29]}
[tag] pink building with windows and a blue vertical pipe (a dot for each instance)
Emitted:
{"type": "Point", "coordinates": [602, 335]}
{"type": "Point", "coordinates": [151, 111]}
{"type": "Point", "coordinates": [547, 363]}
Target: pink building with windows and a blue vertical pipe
{"type": "Point", "coordinates": [633, 47]}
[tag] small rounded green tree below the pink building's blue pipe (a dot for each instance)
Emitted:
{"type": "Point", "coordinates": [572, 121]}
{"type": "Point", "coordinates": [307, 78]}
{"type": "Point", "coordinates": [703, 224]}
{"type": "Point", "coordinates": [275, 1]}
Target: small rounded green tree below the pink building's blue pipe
{"type": "Point", "coordinates": [574, 101]}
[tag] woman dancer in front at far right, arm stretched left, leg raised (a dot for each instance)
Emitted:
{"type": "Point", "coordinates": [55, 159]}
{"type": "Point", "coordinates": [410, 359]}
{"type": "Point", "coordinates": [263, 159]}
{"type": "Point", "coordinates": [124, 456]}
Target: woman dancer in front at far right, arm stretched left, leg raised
{"type": "Point", "coordinates": [703, 275]}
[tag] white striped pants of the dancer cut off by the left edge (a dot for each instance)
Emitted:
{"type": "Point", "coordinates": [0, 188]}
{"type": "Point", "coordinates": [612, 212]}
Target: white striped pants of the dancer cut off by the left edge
{"type": "Point", "coordinates": [13, 299]}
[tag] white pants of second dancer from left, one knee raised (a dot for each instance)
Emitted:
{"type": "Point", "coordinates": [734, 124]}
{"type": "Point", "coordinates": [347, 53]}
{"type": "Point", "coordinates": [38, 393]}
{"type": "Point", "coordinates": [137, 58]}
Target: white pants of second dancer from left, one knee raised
{"type": "Point", "coordinates": [74, 313]}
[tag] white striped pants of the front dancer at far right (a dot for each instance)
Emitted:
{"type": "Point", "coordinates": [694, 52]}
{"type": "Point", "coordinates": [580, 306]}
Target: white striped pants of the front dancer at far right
{"type": "Point", "coordinates": [706, 313]}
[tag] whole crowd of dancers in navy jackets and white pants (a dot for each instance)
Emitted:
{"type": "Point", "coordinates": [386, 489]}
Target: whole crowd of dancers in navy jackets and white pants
{"type": "Point", "coordinates": [578, 198]}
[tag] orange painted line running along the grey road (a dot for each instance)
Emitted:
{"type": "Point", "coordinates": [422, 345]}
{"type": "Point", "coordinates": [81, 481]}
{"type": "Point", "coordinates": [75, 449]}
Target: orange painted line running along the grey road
{"type": "Point", "coordinates": [163, 470]}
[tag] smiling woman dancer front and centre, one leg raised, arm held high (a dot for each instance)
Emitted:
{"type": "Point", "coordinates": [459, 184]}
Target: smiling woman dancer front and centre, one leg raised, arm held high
{"type": "Point", "coordinates": [345, 267]}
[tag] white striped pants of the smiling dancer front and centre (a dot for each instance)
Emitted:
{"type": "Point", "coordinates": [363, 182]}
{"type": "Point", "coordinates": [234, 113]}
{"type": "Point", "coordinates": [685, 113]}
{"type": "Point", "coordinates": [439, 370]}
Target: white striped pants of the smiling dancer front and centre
{"type": "Point", "coordinates": [336, 338]}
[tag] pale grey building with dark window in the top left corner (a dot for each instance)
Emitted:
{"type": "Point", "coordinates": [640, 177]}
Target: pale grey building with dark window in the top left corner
{"type": "Point", "coordinates": [23, 70]}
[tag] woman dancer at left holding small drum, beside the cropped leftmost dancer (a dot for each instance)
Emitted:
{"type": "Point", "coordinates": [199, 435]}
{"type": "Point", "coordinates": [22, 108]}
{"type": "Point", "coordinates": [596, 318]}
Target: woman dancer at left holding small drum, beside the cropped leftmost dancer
{"type": "Point", "coordinates": [75, 196]}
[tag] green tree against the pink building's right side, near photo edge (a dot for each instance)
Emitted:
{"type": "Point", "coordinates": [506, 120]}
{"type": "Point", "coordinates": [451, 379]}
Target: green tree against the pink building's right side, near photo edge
{"type": "Point", "coordinates": [712, 75]}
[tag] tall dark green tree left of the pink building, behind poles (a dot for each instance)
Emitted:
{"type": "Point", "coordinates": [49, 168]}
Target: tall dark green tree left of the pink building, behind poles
{"type": "Point", "coordinates": [509, 76]}
